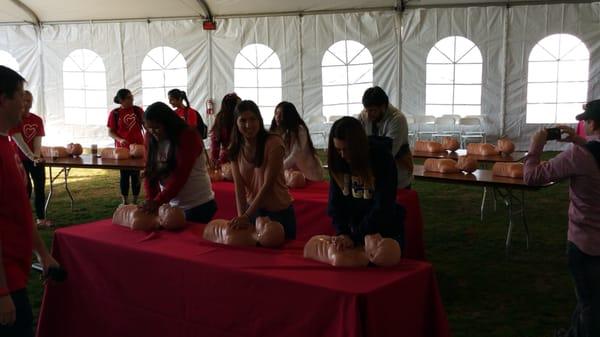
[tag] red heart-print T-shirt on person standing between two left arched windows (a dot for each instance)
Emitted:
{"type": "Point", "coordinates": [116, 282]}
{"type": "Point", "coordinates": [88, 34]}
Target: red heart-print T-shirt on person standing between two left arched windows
{"type": "Point", "coordinates": [127, 124]}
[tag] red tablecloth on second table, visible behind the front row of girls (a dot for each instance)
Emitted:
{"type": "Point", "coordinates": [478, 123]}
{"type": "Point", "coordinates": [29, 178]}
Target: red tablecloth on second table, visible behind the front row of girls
{"type": "Point", "coordinates": [310, 205]}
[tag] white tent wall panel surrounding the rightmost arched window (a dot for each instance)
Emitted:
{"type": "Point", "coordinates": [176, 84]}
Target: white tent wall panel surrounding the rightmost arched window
{"type": "Point", "coordinates": [528, 25]}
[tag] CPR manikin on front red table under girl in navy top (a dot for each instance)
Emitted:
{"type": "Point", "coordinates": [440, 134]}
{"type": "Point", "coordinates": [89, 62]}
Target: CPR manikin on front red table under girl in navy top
{"type": "Point", "coordinates": [380, 251]}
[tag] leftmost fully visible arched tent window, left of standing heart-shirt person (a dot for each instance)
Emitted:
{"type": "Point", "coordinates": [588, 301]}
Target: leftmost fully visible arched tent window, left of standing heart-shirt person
{"type": "Point", "coordinates": [84, 84]}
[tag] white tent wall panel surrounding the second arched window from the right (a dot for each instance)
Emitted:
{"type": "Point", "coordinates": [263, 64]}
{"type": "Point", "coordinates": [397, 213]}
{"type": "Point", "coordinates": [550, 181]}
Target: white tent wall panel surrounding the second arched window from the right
{"type": "Point", "coordinates": [422, 28]}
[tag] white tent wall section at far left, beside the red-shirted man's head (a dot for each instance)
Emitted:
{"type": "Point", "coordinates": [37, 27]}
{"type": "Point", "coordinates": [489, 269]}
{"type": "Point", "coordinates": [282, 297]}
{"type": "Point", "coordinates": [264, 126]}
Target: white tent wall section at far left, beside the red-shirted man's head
{"type": "Point", "coordinates": [21, 42]}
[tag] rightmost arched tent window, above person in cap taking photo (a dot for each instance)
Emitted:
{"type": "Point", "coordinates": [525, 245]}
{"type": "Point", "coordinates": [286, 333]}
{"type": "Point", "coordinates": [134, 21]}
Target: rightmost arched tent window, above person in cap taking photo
{"type": "Point", "coordinates": [557, 80]}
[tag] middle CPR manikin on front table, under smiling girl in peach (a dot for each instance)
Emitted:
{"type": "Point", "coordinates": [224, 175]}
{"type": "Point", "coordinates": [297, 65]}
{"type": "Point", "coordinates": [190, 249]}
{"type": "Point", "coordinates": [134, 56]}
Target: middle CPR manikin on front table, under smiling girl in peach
{"type": "Point", "coordinates": [264, 232]}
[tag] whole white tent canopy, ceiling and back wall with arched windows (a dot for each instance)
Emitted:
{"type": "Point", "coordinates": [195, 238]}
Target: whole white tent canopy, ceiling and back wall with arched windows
{"type": "Point", "coordinates": [81, 53]}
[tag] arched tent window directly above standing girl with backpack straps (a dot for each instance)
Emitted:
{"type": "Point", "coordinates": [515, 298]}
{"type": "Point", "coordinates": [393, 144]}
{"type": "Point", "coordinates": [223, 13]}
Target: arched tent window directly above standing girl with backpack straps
{"type": "Point", "coordinates": [163, 69]}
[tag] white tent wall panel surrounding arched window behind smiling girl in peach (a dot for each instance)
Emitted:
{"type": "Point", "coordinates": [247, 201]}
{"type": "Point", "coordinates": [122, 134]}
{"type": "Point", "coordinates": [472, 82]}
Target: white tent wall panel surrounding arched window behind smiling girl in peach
{"type": "Point", "coordinates": [281, 34]}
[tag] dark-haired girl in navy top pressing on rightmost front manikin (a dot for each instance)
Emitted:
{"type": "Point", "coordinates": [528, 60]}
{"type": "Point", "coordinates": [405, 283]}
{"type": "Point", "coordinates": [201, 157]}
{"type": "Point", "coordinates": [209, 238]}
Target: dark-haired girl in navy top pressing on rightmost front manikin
{"type": "Point", "coordinates": [362, 188]}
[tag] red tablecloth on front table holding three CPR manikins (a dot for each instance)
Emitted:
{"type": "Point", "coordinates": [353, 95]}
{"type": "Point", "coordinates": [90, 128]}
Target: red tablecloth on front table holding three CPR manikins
{"type": "Point", "coordinates": [131, 284]}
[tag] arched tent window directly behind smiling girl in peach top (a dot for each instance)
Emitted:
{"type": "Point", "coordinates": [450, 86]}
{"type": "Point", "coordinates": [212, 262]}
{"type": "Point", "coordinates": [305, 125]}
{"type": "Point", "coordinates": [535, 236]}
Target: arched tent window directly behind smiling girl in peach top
{"type": "Point", "coordinates": [257, 77]}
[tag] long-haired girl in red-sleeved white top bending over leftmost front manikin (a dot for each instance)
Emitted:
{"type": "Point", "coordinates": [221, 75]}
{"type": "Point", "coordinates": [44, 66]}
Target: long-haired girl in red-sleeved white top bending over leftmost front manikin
{"type": "Point", "coordinates": [176, 168]}
